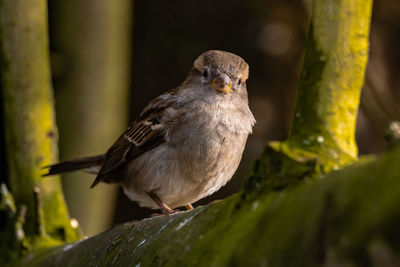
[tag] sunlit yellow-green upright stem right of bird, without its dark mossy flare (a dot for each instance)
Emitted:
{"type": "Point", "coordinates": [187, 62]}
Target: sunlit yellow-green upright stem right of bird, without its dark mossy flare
{"type": "Point", "coordinates": [331, 80]}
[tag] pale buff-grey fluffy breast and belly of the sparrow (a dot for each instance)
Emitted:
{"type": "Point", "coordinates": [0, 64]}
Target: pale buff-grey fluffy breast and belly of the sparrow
{"type": "Point", "coordinates": [201, 154]}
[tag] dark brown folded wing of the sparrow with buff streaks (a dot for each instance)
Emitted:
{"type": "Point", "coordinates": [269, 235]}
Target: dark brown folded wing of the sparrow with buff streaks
{"type": "Point", "coordinates": [144, 134]}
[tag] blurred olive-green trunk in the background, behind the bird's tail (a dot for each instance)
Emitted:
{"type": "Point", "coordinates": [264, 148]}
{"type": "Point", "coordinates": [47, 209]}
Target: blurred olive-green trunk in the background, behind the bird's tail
{"type": "Point", "coordinates": [93, 40]}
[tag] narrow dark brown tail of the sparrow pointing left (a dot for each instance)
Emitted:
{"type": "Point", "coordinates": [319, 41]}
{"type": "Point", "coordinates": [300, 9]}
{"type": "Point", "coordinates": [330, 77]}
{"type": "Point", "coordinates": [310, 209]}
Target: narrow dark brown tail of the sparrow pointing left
{"type": "Point", "coordinates": [75, 164]}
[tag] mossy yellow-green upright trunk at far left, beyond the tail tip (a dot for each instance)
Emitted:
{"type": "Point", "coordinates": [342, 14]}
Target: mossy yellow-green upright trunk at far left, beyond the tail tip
{"type": "Point", "coordinates": [31, 135]}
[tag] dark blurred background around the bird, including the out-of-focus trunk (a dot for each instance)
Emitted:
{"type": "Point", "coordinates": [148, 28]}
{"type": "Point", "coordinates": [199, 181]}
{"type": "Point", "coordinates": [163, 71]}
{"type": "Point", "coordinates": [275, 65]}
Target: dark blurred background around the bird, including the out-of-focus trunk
{"type": "Point", "coordinates": [109, 58]}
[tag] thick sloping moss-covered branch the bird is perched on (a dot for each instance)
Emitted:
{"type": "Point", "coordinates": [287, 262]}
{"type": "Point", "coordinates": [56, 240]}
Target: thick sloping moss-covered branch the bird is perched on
{"type": "Point", "coordinates": [350, 218]}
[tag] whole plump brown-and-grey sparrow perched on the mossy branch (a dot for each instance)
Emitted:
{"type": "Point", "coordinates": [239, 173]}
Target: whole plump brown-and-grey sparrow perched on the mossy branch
{"type": "Point", "coordinates": [186, 144]}
